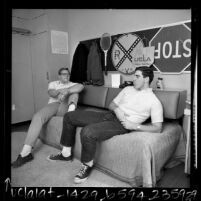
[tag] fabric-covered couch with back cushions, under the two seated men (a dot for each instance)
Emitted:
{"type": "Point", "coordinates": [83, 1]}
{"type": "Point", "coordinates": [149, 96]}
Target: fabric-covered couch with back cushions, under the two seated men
{"type": "Point", "coordinates": [137, 158]}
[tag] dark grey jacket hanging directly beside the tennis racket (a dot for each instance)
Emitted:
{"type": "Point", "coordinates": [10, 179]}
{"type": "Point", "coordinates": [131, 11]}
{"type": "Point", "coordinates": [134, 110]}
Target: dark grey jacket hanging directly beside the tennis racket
{"type": "Point", "coordinates": [94, 67]}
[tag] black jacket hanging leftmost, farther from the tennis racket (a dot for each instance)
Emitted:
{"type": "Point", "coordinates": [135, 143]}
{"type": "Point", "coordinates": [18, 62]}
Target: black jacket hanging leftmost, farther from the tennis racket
{"type": "Point", "coordinates": [79, 64]}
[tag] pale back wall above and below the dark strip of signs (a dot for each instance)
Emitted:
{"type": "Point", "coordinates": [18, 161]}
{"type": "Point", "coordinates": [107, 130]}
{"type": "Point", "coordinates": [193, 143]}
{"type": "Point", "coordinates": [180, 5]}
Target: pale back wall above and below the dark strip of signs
{"type": "Point", "coordinates": [88, 24]}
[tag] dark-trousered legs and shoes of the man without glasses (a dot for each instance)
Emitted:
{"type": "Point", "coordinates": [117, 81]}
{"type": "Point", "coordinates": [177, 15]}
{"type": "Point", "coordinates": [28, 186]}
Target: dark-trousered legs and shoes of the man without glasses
{"type": "Point", "coordinates": [97, 126]}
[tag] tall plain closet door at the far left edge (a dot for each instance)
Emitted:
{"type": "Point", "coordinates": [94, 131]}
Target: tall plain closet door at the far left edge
{"type": "Point", "coordinates": [22, 86]}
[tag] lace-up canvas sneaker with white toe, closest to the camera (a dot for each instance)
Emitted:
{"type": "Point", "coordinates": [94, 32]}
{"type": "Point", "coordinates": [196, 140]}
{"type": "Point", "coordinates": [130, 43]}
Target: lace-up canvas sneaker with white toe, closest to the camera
{"type": "Point", "coordinates": [83, 174]}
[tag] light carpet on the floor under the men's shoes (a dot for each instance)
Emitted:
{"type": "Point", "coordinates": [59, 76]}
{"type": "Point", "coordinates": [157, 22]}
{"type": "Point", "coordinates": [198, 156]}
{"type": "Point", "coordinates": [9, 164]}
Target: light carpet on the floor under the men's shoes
{"type": "Point", "coordinates": [43, 173]}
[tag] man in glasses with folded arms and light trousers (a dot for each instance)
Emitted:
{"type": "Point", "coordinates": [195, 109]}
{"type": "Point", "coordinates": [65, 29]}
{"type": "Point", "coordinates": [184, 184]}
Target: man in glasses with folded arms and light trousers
{"type": "Point", "coordinates": [63, 98]}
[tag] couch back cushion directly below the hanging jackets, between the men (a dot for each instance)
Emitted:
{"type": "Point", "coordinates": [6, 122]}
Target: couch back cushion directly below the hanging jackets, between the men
{"type": "Point", "coordinates": [93, 96]}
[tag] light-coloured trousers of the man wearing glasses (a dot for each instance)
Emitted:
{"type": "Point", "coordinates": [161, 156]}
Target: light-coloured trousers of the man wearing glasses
{"type": "Point", "coordinates": [45, 114]}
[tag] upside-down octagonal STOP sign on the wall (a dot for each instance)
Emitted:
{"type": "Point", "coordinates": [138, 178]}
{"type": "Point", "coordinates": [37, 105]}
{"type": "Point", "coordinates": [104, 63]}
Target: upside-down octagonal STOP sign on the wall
{"type": "Point", "coordinates": [172, 48]}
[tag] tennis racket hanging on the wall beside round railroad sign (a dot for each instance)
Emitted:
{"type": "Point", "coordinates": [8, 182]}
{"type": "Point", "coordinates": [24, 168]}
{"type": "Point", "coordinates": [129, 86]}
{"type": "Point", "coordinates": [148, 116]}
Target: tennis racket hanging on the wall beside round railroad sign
{"type": "Point", "coordinates": [105, 43]}
